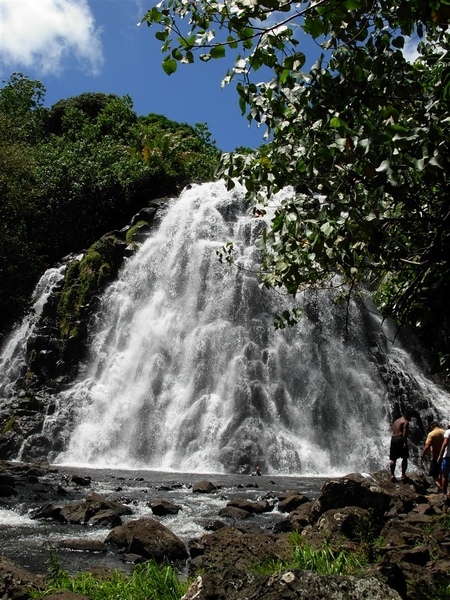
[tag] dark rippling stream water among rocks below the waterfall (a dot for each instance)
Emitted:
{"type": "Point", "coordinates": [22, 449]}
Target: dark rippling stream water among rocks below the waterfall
{"type": "Point", "coordinates": [27, 541]}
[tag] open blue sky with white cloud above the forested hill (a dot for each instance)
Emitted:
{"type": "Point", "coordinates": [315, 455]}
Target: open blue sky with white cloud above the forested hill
{"type": "Point", "coordinates": [76, 46]}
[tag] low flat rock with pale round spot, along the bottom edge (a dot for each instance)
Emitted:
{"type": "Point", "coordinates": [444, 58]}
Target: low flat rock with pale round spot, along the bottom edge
{"type": "Point", "coordinates": [234, 584]}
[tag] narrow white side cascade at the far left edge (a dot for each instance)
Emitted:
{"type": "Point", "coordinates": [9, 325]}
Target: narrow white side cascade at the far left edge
{"type": "Point", "coordinates": [13, 351]}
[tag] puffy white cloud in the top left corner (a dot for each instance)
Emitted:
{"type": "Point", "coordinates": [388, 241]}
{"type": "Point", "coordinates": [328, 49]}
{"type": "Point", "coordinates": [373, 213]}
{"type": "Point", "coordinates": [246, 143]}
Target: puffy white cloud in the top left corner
{"type": "Point", "coordinates": [42, 34]}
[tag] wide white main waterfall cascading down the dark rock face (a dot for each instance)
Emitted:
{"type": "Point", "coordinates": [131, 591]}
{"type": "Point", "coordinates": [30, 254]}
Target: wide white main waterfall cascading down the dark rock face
{"type": "Point", "coordinates": [187, 373]}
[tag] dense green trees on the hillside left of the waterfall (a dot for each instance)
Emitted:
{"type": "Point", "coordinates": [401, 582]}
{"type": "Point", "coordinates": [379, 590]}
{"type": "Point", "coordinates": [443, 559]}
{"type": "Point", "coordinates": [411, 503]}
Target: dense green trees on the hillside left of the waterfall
{"type": "Point", "coordinates": [74, 171]}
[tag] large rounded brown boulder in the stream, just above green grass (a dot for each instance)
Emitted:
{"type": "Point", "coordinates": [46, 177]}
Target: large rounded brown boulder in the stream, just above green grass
{"type": "Point", "coordinates": [149, 539]}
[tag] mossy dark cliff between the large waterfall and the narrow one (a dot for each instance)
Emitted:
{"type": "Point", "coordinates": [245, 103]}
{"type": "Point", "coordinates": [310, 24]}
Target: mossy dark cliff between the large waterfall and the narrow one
{"type": "Point", "coordinates": [57, 345]}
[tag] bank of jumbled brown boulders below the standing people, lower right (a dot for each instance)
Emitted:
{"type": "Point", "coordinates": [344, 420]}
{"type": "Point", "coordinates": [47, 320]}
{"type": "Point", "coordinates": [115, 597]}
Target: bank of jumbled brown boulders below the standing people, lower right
{"type": "Point", "coordinates": [398, 531]}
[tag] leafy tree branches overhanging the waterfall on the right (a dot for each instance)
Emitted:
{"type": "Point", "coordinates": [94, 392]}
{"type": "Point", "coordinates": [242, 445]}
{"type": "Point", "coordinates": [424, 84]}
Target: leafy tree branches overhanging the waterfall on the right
{"type": "Point", "coordinates": [361, 134]}
